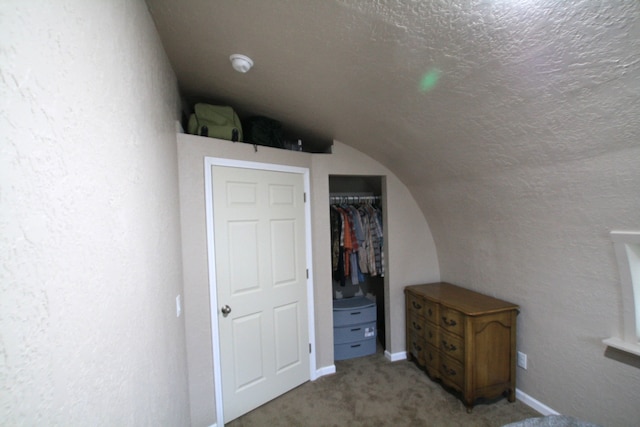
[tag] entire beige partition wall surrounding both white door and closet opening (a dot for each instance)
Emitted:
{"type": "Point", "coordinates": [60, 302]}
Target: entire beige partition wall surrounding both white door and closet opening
{"type": "Point", "coordinates": [410, 251]}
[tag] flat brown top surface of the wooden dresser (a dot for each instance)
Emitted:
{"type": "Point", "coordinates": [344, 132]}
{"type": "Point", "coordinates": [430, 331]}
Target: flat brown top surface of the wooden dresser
{"type": "Point", "coordinates": [464, 300]}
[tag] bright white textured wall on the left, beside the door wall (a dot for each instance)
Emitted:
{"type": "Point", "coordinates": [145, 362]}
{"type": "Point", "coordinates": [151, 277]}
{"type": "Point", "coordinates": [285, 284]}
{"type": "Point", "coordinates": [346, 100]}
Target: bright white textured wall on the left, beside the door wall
{"type": "Point", "coordinates": [89, 218]}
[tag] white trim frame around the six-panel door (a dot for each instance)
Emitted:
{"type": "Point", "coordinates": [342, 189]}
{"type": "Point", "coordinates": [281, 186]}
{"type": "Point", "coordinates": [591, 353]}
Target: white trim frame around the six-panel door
{"type": "Point", "coordinates": [217, 161]}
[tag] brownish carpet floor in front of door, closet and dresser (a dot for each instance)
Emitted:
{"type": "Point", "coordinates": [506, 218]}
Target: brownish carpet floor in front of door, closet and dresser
{"type": "Point", "coordinates": [371, 391]}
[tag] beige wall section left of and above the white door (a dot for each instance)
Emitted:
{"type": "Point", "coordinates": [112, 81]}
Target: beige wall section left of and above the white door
{"type": "Point", "coordinates": [191, 153]}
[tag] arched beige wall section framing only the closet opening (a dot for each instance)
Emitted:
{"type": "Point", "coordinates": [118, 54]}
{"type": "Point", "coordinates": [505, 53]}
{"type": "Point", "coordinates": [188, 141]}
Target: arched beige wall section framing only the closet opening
{"type": "Point", "coordinates": [411, 254]}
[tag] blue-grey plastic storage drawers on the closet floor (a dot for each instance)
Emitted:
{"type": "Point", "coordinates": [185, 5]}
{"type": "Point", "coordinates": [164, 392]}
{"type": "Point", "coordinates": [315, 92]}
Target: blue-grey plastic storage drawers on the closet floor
{"type": "Point", "coordinates": [354, 328]}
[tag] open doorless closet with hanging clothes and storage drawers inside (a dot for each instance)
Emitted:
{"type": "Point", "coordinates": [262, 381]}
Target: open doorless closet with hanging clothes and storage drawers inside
{"type": "Point", "coordinates": [358, 264]}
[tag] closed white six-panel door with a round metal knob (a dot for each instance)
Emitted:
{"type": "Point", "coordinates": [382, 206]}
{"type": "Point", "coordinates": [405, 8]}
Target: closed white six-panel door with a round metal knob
{"type": "Point", "coordinates": [260, 273]}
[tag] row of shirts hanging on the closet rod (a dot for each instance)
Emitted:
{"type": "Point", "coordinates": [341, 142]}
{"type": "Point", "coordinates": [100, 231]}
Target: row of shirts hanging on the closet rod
{"type": "Point", "coordinates": [356, 238]}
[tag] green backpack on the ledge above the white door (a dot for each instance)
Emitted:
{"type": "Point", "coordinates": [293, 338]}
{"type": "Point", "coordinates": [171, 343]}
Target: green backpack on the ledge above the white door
{"type": "Point", "coordinates": [215, 121]}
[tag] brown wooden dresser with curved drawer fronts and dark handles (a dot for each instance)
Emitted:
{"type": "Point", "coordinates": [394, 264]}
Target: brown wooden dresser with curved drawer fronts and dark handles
{"type": "Point", "coordinates": [464, 339]}
